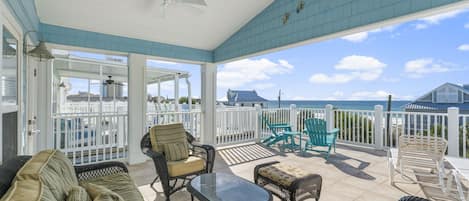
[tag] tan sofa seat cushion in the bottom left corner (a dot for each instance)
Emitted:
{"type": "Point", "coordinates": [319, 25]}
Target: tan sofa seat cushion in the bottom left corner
{"type": "Point", "coordinates": [24, 190]}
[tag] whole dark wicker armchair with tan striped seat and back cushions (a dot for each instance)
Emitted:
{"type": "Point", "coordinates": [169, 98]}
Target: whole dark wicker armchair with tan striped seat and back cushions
{"type": "Point", "coordinates": [163, 144]}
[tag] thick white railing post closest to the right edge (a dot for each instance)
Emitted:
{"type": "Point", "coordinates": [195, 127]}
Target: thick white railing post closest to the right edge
{"type": "Point", "coordinates": [453, 131]}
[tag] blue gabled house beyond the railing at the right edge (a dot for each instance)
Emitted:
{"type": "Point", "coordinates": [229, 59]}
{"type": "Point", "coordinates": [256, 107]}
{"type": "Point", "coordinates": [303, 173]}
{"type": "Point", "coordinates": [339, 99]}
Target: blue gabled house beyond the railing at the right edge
{"type": "Point", "coordinates": [441, 98]}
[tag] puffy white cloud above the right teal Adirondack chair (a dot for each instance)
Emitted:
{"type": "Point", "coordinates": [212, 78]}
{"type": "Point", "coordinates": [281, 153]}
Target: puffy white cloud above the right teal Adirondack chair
{"type": "Point", "coordinates": [358, 67]}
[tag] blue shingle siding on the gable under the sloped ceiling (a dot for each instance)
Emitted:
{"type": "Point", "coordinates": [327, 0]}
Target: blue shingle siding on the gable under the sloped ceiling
{"type": "Point", "coordinates": [319, 18]}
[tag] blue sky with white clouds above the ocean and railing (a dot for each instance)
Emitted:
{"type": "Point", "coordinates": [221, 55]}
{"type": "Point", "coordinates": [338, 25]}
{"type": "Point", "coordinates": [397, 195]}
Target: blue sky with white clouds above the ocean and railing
{"type": "Point", "coordinates": [406, 60]}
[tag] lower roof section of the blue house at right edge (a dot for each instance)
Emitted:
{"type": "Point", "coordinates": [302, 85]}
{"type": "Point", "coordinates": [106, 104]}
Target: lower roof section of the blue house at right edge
{"type": "Point", "coordinates": [436, 107]}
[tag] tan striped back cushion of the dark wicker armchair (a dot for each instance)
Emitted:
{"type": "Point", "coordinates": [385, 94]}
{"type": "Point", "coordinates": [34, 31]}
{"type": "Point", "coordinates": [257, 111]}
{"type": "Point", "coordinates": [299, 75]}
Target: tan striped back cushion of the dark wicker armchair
{"type": "Point", "coordinates": [164, 134]}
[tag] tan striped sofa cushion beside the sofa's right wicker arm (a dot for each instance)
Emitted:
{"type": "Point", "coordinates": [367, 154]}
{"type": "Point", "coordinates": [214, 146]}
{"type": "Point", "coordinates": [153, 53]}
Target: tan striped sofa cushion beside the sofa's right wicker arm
{"type": "Point", "coordinates": [120, 183]}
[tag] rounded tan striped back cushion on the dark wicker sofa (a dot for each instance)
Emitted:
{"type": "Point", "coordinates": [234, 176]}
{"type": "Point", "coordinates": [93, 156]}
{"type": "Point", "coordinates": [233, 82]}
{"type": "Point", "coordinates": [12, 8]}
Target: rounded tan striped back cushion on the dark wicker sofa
{"type": "Point", "coordinates": [53, 170]}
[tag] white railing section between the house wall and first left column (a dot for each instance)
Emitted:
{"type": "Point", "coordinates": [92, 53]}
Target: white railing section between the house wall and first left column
{"type": "Point", "coordinates": [91, 138]}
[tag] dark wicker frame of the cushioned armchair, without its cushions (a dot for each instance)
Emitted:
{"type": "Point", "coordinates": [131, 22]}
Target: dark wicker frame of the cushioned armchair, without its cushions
{"type": "Point", "coordinates": [168, 179]}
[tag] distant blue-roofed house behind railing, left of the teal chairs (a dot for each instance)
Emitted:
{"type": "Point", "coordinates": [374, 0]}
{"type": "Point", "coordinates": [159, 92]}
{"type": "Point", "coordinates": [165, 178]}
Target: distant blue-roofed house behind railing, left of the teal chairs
{"type": "Point", "coordinates": [244, 98]}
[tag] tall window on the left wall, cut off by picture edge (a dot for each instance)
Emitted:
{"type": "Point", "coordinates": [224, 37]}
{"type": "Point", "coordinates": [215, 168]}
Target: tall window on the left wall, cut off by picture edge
{"type": "Point", "coordinates": [9, 79]}
